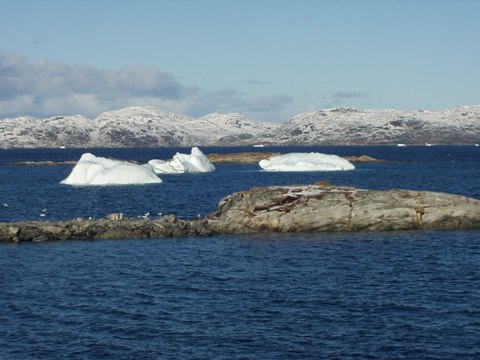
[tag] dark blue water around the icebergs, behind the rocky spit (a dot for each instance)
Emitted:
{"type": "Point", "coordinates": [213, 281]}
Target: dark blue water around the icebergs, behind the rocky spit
{"type": "Point", "coordinates": [29, 189]}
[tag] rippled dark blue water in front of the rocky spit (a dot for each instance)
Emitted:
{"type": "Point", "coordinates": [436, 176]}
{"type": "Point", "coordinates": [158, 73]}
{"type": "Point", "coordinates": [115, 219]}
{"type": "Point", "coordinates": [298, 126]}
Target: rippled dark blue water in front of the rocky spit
{"type": "Point", "coordinates": [403, 295]}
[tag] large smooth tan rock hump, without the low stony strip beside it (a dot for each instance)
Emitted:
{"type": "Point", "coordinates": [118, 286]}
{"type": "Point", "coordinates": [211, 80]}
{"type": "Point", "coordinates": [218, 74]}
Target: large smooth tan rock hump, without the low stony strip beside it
{"type": "Point", "coordinates": [329, 208]}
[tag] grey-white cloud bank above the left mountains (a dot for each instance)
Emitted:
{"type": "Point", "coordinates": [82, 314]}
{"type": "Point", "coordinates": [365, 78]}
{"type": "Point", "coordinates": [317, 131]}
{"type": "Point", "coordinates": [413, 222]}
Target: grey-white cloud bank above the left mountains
{"type": "Point", "coordinates": [44, 88]}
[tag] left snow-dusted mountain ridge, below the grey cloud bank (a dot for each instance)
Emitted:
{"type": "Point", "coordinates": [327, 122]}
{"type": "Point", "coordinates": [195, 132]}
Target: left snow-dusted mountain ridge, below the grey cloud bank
{"type": "Point", "coordinates": [131, 127]}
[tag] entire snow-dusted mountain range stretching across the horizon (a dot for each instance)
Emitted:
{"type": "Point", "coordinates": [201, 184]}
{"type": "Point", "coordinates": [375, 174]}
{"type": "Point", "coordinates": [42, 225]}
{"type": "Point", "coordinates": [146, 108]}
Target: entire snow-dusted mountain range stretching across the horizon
{"type": "Point", "coordinates": [152, 126]}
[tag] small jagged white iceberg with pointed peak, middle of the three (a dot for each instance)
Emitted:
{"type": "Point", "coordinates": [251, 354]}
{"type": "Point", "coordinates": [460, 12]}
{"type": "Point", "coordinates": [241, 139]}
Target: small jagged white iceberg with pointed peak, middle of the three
{"type": "Point", "coordinates": [183, 163]}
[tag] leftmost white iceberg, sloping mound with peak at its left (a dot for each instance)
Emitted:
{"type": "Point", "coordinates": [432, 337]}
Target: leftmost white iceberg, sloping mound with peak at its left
{"type": "Point", "coordinates": [93, 170]}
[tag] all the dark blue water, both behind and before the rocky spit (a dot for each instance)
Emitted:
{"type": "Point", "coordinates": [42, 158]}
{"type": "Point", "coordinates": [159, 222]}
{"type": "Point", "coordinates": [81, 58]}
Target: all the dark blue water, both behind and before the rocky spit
{"type": "Point", "coordinates": [402, 295]}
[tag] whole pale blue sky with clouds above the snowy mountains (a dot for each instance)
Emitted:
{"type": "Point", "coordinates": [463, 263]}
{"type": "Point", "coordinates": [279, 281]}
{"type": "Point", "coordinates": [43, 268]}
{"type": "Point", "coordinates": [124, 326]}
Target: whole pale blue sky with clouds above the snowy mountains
{"type": "Point", "coordinates": [268, 59]}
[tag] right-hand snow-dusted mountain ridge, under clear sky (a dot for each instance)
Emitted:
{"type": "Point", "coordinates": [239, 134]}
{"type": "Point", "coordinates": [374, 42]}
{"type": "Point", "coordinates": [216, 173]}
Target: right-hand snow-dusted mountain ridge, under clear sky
{"type": "Point", "coordinates": [347, 126]}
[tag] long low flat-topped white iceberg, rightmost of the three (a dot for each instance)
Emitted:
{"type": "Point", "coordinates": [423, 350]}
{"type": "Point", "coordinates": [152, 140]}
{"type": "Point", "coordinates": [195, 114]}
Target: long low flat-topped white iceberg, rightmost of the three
{"type": "Point", "coordinates": [306, 162]}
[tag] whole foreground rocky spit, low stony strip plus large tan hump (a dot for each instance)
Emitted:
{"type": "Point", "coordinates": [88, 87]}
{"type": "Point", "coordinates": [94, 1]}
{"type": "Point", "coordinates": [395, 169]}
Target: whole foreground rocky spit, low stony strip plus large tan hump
{"type": "Point", "coordinates": [298, 208]}
